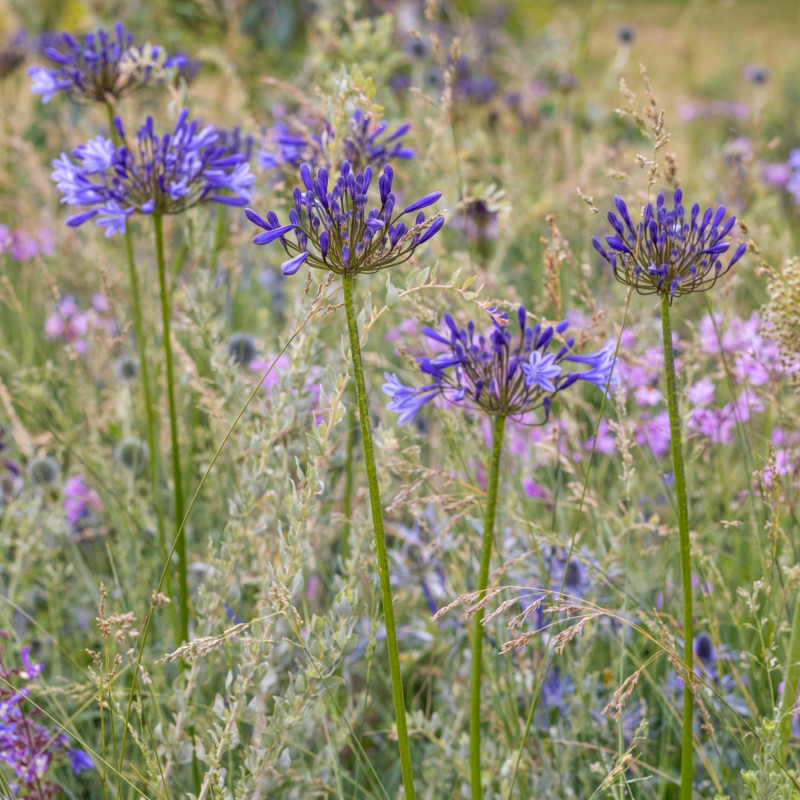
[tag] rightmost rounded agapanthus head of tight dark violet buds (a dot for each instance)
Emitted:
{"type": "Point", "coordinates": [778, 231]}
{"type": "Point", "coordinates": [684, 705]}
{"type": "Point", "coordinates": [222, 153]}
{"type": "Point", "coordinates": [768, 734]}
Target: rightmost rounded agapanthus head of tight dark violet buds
{"type": "Point", "coordinates": [669, 252]}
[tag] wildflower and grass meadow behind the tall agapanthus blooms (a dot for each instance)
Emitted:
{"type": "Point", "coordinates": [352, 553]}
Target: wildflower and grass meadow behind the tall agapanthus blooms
{"type": "Point", "coordinates": [282, 690]}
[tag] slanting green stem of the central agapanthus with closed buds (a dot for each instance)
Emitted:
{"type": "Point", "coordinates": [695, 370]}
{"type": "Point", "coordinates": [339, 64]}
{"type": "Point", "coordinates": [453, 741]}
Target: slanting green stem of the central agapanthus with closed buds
{"type": "Point", "coordinates": [380, 544]}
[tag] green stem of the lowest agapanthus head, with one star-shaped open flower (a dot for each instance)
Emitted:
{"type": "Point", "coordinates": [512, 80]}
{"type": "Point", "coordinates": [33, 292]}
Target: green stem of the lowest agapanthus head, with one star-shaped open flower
{"type": "Point", "coordinates": [477, 619]}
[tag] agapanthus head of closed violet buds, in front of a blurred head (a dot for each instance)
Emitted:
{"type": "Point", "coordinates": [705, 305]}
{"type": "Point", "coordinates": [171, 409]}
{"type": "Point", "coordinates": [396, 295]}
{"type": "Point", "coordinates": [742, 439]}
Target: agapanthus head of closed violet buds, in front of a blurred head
{"type": "Point", "coordinates": [333, 229]}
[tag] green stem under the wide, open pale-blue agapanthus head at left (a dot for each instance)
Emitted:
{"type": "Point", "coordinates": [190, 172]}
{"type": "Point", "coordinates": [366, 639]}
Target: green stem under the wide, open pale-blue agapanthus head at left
{"type": "Point", "coordinates": [180, 545]}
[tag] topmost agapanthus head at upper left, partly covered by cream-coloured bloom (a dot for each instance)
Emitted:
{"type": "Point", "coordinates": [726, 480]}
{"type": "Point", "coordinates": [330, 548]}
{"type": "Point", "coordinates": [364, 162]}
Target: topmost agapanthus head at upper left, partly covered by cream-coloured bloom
{"type": "Point", "coordinates": [98, 66]}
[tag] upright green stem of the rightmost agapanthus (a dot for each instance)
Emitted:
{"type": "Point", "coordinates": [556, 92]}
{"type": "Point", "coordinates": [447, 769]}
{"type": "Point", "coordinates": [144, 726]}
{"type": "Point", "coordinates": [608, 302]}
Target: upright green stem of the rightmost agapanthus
{"type": "Point", "coordinates": [687, 745]}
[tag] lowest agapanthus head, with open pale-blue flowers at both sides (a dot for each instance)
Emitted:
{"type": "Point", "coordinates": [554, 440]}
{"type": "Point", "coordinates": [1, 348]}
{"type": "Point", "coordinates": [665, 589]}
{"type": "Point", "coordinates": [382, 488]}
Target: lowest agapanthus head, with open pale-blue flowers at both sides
{"type": "Point", "coordinates": [499, 373]}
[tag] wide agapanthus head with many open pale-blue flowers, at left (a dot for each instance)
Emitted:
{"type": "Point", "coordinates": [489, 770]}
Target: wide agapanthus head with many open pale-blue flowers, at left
{"type": "Point", "coordinates": [158, 175]}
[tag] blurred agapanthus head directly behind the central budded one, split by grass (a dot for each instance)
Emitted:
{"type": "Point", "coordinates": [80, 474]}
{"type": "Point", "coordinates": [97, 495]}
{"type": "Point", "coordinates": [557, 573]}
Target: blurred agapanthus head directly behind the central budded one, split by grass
{"type": "Point", "coordinates": [365, 144]}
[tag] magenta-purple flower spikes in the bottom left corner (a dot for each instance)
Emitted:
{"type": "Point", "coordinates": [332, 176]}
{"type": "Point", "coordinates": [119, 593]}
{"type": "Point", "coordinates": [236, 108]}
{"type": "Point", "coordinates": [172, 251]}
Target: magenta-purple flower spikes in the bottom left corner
{"type": "Point", "coordinates": [29, 748]}
